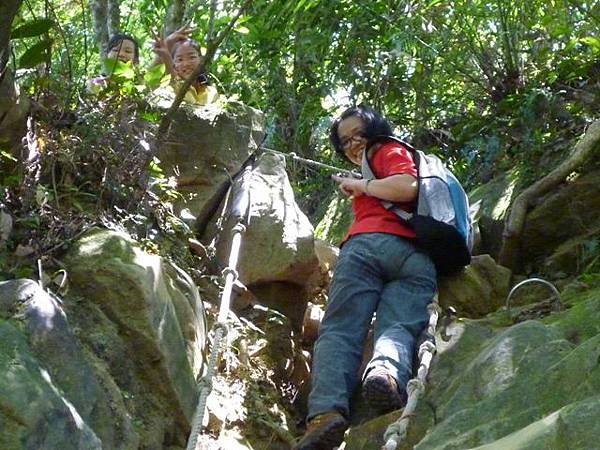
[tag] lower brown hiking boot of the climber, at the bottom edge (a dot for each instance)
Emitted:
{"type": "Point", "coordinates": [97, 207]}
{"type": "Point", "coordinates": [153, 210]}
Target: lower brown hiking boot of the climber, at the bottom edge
{"type": "Point", "coordinates": [324, 432]}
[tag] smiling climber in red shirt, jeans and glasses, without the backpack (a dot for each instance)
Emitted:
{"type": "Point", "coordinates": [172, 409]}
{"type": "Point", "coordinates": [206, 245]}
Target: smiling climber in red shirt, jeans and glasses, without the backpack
{"type": "Point", "coordinates": [379, 272]}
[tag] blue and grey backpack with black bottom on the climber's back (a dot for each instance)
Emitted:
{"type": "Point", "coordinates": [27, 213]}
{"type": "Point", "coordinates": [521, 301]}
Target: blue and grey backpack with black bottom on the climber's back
{"type": "Point", "coordinates": [441, 219]}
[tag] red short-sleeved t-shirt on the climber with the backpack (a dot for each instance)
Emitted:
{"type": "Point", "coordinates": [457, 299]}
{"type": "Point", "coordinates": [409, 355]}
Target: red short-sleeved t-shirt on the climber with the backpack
{"type": "Point", "coordinates": [369, 214]}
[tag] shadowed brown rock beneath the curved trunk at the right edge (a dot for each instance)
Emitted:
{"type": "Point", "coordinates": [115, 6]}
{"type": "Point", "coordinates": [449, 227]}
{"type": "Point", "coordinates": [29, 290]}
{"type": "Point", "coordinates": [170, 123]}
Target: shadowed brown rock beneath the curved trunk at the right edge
{"type": "Point", "coordinates": [557, 230]}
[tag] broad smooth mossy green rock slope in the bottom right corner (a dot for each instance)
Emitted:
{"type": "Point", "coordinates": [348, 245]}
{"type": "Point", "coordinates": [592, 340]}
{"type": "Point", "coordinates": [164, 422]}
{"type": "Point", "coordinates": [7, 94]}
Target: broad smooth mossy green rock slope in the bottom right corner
{"type": "Point", "coordinates": [535, 385]}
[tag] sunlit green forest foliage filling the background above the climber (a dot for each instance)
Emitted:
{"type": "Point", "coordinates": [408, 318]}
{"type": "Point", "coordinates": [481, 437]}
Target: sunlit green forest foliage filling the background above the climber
{"type": "Point", "coordinates": [492, 84]}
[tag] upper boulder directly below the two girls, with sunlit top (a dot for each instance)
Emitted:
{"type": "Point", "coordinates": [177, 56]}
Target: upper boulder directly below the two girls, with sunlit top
{"type": "Point", "coordinates": [205, 147]}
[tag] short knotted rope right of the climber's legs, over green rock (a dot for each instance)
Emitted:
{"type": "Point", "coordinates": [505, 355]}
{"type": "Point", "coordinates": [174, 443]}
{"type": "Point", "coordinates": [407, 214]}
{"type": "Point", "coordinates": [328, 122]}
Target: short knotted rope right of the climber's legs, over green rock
{"type": "Point", "coordinates": [397, 431]}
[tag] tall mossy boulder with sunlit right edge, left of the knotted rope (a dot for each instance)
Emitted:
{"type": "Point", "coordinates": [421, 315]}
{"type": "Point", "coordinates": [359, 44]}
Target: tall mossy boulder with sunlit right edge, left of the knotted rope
{"type": "Point", "coordinates": [143, 320]}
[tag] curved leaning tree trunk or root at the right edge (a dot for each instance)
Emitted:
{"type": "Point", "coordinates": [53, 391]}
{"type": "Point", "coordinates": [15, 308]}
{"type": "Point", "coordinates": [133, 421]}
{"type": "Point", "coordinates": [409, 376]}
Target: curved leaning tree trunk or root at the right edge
{"type": "Point", "coordinates": [515, 223]}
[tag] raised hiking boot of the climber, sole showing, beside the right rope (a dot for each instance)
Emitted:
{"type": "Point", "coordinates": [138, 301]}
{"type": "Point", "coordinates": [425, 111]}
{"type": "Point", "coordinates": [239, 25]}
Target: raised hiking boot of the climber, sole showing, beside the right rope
{"type": "Point", "coordinates": [382, 393]}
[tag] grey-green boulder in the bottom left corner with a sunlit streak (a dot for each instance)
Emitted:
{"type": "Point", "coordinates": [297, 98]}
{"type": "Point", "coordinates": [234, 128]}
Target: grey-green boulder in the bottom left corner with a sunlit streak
{"type": "Point", "coordinates": [52, 394]}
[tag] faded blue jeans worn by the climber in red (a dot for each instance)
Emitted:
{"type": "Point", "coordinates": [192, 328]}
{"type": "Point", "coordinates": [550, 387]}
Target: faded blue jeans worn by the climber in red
{"type": "Point", "coordinates": [375, 273]}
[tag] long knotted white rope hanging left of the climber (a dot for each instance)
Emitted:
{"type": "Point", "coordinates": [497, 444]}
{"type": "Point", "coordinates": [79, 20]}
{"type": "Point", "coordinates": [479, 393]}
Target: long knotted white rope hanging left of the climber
{"type": "Point", "coordinates": [240, 210]}
